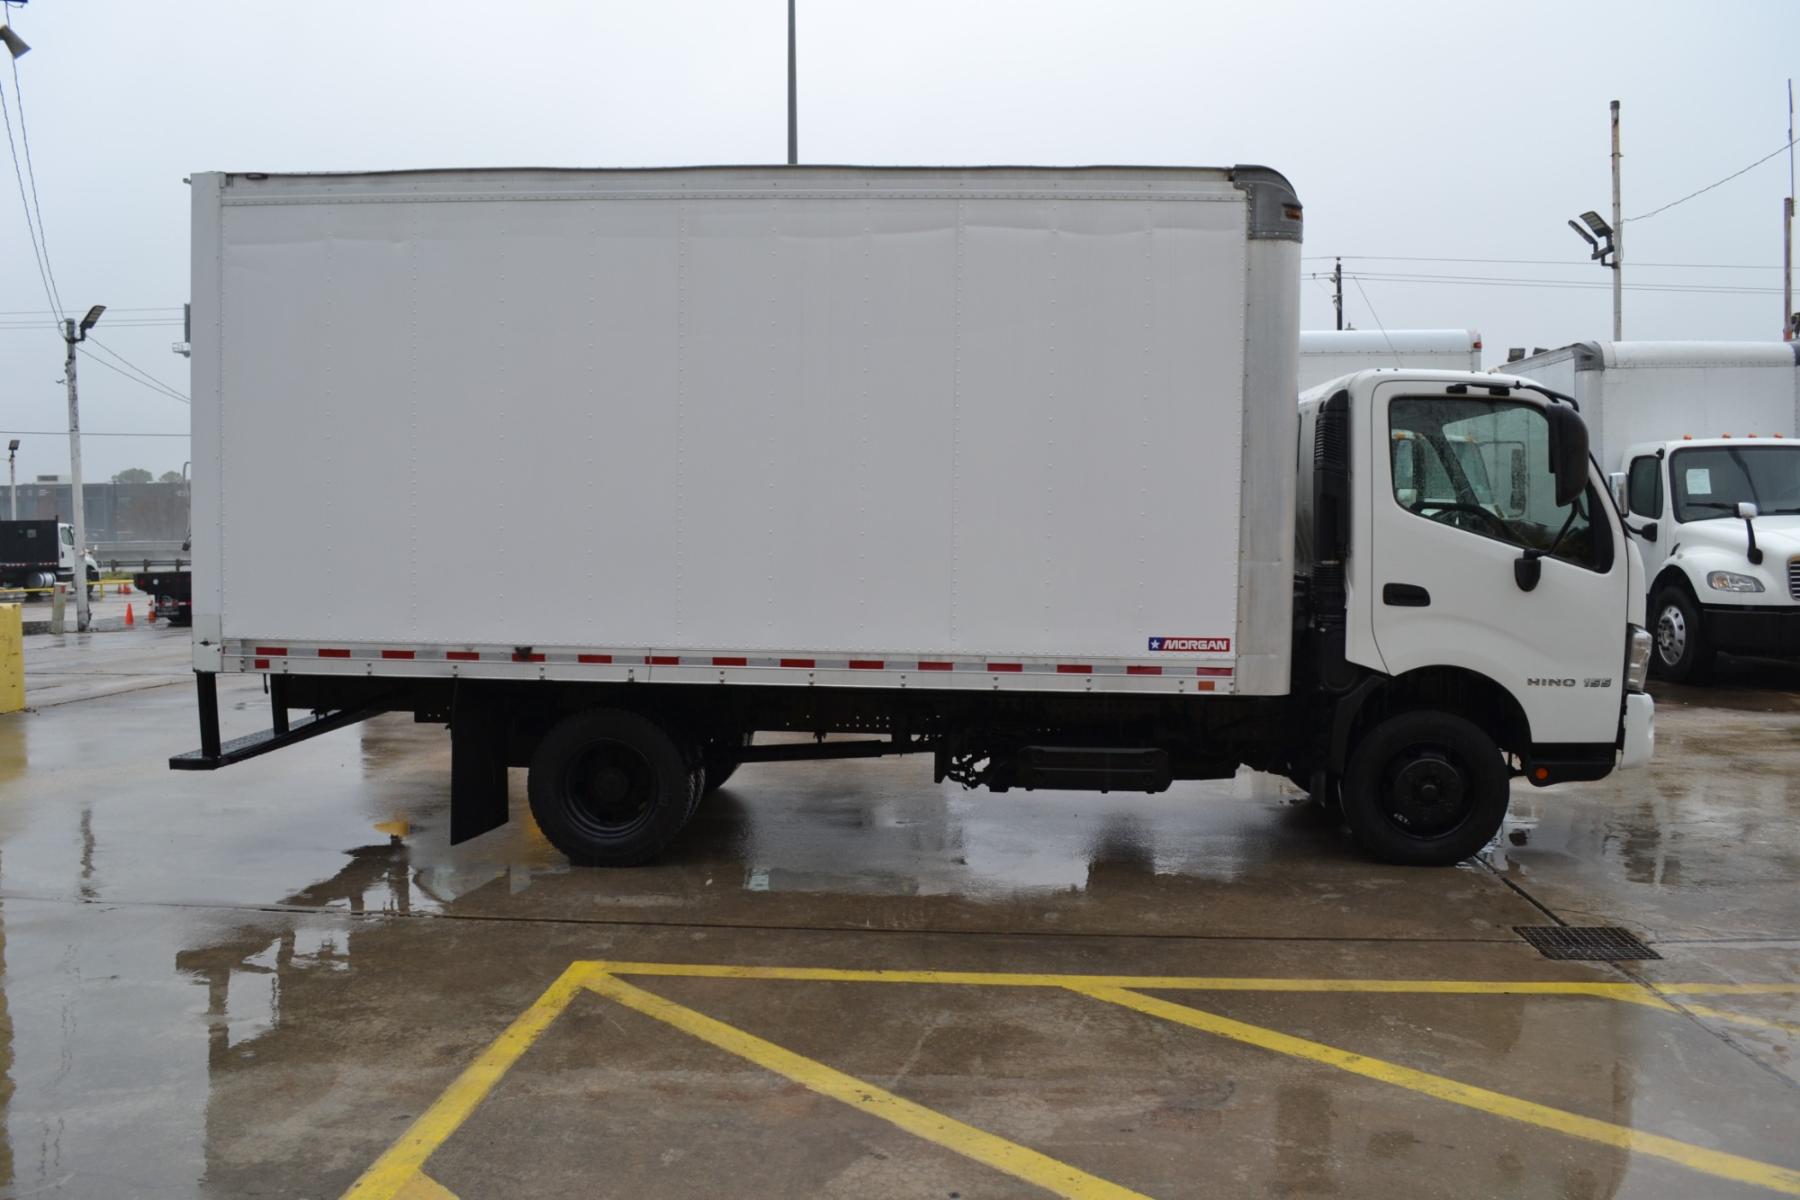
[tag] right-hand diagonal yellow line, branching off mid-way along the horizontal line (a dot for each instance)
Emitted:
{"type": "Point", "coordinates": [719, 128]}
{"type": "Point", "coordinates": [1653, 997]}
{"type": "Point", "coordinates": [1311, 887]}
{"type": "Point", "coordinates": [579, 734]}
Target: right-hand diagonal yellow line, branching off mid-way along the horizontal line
{"type": "Point", "coordinates": [1497, 1104]}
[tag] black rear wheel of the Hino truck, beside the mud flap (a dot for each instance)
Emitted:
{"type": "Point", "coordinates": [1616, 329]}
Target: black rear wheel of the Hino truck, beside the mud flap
{"type": "Point", "coordinates": [611, 789]}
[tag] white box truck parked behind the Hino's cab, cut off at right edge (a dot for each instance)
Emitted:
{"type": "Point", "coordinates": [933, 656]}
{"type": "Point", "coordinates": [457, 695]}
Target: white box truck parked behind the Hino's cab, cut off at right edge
{"type": "Point", "coordinates": [1700, 443]}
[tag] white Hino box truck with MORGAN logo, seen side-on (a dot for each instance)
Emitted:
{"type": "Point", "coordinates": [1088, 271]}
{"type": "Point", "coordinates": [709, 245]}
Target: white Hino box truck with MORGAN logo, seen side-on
{"type": "Point", "coordinates": [993, 465]}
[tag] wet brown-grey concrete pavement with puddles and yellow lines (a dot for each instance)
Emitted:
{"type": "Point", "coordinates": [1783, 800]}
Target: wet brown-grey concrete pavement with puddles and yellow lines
{"type": "Point", "coordinates": [258, 981]}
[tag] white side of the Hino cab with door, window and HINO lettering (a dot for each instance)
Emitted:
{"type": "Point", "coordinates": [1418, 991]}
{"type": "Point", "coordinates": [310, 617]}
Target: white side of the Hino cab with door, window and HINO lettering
{"type": "Point", "coordinates": [1444, 548]}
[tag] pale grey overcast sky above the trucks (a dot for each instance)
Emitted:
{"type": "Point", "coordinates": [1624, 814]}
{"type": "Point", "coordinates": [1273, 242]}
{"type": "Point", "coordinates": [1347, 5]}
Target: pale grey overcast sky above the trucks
{"type": "Point", "coordinates": [1428, 132]}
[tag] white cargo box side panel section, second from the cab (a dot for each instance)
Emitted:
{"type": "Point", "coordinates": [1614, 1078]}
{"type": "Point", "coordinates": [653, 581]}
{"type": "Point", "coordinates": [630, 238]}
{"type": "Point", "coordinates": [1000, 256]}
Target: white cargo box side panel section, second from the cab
{"type": "Point", "coordinates": [816, 424]}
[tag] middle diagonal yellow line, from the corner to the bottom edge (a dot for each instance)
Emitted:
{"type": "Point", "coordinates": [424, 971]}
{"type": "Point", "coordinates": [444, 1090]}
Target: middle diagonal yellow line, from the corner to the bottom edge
{"type": "Point", "coordinates": [966, 1140]}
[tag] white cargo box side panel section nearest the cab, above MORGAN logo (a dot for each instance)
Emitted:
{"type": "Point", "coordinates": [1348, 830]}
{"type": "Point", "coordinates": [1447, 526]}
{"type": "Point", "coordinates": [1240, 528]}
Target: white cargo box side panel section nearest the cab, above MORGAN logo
{"type": "Point", "coordinates": [1101, 372]}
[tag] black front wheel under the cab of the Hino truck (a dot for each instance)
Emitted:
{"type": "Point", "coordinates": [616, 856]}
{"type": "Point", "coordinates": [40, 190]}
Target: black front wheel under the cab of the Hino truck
{"type": "Point", "coordinates": [1425, 791]}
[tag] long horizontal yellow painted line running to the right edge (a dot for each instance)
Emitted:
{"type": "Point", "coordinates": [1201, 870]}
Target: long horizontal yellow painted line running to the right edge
{"type": "Point", "coordinates": [1626, 992]}
